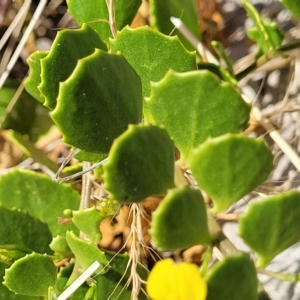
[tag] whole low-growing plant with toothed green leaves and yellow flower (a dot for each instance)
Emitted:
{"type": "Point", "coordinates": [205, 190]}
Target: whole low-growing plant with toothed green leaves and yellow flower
{"type": "Point", "coordinates": [129, 99]}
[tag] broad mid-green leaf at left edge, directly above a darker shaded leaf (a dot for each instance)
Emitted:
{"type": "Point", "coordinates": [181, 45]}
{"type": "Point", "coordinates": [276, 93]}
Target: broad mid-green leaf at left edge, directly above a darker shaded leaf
{"type": "Point", "coordinates": [39, 196]}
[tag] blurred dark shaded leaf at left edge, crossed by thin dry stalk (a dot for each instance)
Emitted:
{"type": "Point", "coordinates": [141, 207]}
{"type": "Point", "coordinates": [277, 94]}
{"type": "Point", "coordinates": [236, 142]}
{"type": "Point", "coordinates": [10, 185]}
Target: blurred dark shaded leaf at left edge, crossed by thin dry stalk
{"type": "Point", "coordinates": [21, 116]}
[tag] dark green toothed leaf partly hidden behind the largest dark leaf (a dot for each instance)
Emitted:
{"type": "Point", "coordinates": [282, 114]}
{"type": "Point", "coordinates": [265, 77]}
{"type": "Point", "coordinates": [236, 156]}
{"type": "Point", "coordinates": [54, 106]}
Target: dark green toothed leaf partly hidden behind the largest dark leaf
{"type": "Point", "coordinates": [68, 47]}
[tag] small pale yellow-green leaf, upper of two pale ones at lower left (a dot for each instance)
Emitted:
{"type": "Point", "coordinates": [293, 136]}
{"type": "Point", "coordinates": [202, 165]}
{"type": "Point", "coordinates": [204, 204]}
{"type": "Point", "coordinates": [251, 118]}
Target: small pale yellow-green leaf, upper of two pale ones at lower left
{"type": "Point", "coordinates": [88, 221]}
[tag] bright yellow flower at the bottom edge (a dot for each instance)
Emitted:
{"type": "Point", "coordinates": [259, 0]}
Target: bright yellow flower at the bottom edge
{"type": "Point", "coordinates": [170, 281]}
